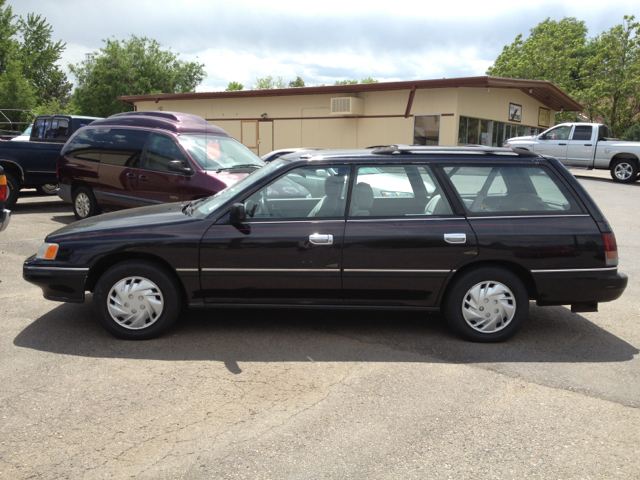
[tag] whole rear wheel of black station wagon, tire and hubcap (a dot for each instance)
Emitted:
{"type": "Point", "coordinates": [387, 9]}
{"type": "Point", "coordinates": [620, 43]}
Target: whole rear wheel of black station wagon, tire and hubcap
{"type": "Point", "coordinates": [497, 290]}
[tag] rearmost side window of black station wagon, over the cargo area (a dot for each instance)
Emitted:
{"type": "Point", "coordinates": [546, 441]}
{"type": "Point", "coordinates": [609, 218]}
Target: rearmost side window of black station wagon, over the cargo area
{"type": "Point", "coordinates": [511, 189]}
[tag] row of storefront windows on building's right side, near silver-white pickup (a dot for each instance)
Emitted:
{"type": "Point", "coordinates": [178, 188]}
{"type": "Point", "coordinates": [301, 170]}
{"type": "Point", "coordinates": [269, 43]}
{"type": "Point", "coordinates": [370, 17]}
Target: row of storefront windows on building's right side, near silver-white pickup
{"type": "Point", "coordinates": [475, 131]}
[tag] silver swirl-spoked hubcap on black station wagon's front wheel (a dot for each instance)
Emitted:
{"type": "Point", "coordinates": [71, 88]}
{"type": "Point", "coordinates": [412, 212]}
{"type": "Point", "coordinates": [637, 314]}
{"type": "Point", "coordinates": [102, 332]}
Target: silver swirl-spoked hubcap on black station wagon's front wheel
{"type": "Point", "coordinates": [135, 303]}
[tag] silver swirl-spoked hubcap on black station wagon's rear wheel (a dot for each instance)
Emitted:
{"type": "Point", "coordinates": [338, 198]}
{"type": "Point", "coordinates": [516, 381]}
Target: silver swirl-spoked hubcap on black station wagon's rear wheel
{"type": "Point", "coordinates": [488, 306]}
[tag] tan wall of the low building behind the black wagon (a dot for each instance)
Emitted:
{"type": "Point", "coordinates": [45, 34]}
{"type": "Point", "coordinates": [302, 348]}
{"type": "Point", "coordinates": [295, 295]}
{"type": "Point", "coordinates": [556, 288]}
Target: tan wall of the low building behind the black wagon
{"type": "Point", "coordinates": [383, 121]}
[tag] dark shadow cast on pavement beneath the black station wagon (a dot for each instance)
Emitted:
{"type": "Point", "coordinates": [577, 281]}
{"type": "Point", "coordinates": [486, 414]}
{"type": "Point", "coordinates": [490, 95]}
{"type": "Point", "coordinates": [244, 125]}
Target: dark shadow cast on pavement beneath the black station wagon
{"type": "Point", "coordinates": [552, 334]}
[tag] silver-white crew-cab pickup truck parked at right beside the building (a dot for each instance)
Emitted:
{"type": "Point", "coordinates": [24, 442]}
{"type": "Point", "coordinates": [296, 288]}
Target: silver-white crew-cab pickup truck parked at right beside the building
{"type": "Point", "coordinates": [585, 145]}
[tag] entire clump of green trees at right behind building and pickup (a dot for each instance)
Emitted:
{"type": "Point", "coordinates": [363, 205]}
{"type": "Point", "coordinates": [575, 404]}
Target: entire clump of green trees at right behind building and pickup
{"type": "Point", "coordinates": [602, 73]}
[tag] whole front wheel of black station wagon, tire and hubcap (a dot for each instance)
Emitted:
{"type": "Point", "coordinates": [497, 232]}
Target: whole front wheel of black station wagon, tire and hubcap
{"type": "Point", "coordinates": [137, 300]}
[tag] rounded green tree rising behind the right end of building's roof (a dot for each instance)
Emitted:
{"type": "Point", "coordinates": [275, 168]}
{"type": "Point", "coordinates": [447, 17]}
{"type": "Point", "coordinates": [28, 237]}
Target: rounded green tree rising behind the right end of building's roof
{"type": "Point", "coordinates": [554, 51]}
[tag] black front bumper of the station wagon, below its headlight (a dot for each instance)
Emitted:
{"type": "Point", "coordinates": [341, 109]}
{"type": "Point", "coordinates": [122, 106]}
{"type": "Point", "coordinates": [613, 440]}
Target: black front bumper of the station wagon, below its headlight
{"type": "Point", "coordinates": [60, 284]}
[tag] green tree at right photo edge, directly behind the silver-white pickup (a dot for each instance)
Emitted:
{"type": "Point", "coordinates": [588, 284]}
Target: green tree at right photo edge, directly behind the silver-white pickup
{"type": "Point", "coordinates": [613, 73]}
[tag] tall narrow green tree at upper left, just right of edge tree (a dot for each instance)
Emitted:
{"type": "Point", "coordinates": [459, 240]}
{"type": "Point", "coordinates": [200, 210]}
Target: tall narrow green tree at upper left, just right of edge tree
{"type": "Point", "coordinates": [38, 55]}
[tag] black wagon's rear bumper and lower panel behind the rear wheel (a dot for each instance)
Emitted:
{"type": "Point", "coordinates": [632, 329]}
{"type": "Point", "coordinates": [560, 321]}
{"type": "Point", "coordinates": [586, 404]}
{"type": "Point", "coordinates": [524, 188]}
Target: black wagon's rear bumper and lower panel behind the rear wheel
{"type": "Point", "coordinates": [565, 287]}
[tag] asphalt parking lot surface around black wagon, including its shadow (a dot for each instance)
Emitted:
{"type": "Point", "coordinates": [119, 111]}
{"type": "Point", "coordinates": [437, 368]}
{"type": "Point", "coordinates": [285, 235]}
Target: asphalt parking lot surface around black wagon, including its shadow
{"type": "Point", "coordinates": [253, 394]}
